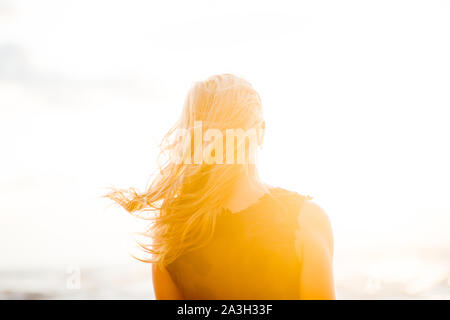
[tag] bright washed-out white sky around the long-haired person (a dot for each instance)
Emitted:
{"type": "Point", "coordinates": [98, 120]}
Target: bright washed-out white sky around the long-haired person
{"type": "Point", "coordinates": [356, 97]}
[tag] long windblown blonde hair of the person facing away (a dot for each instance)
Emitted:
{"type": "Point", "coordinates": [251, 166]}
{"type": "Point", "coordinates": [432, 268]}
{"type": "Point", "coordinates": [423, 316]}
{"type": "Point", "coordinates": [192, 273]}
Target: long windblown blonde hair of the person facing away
{"type": "Point", "coordinates": [184, 198]}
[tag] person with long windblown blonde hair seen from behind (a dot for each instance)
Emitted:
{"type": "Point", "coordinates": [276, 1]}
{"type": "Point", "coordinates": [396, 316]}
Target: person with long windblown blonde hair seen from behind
{"type": "Point", "coordinates": [217, 231]}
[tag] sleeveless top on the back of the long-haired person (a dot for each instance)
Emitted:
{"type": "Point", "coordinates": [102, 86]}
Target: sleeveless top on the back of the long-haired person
{"type": "Point", "coordinates": [252, 254]}
